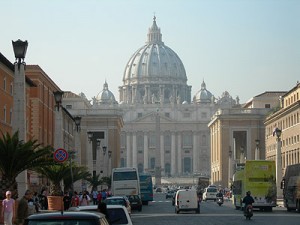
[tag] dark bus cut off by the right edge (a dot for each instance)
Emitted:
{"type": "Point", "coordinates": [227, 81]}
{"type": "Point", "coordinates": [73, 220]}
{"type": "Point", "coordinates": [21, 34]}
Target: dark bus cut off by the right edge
{"type": "Point", "coordinates": [291, 187]}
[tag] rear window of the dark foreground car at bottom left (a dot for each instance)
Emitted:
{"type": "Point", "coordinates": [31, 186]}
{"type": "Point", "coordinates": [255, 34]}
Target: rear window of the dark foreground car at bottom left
{"type": "Point", "coordinates": [61, 222]}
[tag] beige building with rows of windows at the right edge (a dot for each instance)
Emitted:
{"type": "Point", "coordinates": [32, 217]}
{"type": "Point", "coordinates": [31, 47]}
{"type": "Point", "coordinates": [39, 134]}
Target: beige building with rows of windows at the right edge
{"type": "Point", "coordinates": [286, 118]}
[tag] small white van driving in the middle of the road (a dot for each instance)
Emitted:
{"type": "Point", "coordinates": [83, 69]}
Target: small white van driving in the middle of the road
{"type": "Point", "coordinates": [186, 200]}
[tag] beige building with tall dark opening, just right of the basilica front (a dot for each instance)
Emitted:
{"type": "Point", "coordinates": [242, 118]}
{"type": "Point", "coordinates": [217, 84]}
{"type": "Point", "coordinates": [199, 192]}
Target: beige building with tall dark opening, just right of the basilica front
{"type": "Point", "coordinates": [238, 134]}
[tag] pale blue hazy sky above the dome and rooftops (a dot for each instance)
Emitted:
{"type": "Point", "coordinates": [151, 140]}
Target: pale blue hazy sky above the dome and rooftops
{"type": "Point", "coordinates": [245, 47]}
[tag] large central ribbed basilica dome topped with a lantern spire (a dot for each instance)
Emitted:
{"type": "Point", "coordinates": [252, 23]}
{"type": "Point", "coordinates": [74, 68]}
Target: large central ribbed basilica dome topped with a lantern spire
{"type": "Point", "coordinates": [154, 73]}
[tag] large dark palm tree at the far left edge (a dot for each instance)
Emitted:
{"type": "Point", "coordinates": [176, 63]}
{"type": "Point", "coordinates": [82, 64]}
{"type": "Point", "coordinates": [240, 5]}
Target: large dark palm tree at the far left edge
{"type": "Point", "coordinates": [17, 156]}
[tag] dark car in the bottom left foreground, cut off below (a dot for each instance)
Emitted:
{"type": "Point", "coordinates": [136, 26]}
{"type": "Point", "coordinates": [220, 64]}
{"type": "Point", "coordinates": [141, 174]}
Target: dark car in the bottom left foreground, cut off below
{"type": "Point", "coordinates": [66, 218]}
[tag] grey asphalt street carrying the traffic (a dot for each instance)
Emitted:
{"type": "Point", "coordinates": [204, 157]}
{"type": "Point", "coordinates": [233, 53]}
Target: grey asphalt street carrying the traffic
{"type": "Point", "coordinates": [161, 211]}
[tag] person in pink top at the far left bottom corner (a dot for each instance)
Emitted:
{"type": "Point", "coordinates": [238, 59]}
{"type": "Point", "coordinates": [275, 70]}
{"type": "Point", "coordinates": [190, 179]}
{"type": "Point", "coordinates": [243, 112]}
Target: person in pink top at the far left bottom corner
{"type": "Point", "coordinates": [8, 209]}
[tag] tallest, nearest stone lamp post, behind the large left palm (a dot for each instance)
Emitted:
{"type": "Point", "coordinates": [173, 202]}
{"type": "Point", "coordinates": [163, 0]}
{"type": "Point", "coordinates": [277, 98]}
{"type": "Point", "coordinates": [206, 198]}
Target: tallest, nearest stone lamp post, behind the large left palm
{"type": "Point", "coordinates": [19, 104]}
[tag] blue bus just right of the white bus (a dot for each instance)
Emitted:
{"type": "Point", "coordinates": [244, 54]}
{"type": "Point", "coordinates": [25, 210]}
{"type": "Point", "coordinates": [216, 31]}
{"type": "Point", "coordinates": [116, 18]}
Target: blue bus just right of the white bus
{"type": "Point", "coordinates": [146, 187]}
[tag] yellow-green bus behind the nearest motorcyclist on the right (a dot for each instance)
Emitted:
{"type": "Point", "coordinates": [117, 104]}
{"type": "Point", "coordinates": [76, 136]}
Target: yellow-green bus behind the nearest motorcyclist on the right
{"type": "Point", "coordinates": [258, 177]}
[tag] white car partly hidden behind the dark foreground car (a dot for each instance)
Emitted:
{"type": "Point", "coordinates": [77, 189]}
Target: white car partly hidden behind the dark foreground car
{"type": "Point", "coordinates": [117, 214]}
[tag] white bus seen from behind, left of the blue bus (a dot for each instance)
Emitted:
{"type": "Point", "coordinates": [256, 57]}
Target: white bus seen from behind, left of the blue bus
{"type": "Point", "coordinates": [125, 181]}
